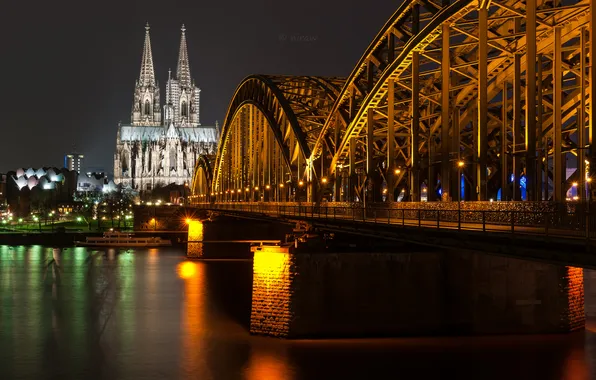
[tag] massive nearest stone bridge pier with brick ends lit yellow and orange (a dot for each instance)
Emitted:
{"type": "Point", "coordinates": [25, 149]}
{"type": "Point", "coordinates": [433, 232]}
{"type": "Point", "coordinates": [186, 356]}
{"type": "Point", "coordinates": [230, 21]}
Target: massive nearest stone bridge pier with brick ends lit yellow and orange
{"type": "Point", "coordinates": [380, 294]}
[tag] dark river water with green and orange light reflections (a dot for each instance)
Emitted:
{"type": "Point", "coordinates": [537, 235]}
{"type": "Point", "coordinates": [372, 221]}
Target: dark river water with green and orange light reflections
{"type": "Point", "coordinates": [150, 314]}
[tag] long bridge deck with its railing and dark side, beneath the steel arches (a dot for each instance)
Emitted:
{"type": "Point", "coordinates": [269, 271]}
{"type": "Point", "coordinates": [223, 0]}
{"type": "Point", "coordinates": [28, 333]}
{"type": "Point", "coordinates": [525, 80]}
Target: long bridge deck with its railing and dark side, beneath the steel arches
{"type": "Point", "coordinates": [561, 237]}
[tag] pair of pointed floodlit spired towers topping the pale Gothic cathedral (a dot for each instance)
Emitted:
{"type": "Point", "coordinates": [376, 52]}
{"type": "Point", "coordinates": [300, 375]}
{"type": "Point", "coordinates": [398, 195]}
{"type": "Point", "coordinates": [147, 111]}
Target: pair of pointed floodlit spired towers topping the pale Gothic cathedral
{"type": "Point", "coordinates": [182, 97]}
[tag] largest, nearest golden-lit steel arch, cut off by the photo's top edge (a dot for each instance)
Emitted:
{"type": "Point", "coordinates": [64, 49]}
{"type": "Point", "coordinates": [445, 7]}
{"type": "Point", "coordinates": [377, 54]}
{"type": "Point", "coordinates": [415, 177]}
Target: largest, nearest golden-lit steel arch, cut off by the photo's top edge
{"type": "Point", "coordinates": [435, 99]}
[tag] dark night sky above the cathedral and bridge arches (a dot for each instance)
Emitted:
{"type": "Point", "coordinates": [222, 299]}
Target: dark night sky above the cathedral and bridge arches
{"type": "Point", "coordinates": [69, 67]}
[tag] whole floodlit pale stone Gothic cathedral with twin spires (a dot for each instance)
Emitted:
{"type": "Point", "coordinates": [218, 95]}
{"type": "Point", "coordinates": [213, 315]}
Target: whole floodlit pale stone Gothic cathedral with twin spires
{"type": "Point", "coordinates": [162, 143]}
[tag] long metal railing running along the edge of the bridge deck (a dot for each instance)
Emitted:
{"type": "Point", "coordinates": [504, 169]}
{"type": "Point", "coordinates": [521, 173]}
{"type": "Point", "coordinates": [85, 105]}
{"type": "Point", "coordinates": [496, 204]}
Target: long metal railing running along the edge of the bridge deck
{"type": "Point", "coordinates": [572, 220]}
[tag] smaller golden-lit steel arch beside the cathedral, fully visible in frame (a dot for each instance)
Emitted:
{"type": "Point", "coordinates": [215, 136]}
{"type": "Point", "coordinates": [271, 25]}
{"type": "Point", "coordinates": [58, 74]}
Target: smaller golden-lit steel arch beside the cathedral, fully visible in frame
{"type": "Point", "coordinates": [268, 132]}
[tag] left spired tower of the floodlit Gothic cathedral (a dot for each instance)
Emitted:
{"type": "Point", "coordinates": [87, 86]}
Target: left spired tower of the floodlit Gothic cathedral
{"type": "Point", "coordinates": [146, 108]}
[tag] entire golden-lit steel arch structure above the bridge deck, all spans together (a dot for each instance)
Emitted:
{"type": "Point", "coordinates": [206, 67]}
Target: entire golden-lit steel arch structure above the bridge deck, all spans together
{"type": "Point", "coordinates": [444, 102]}
